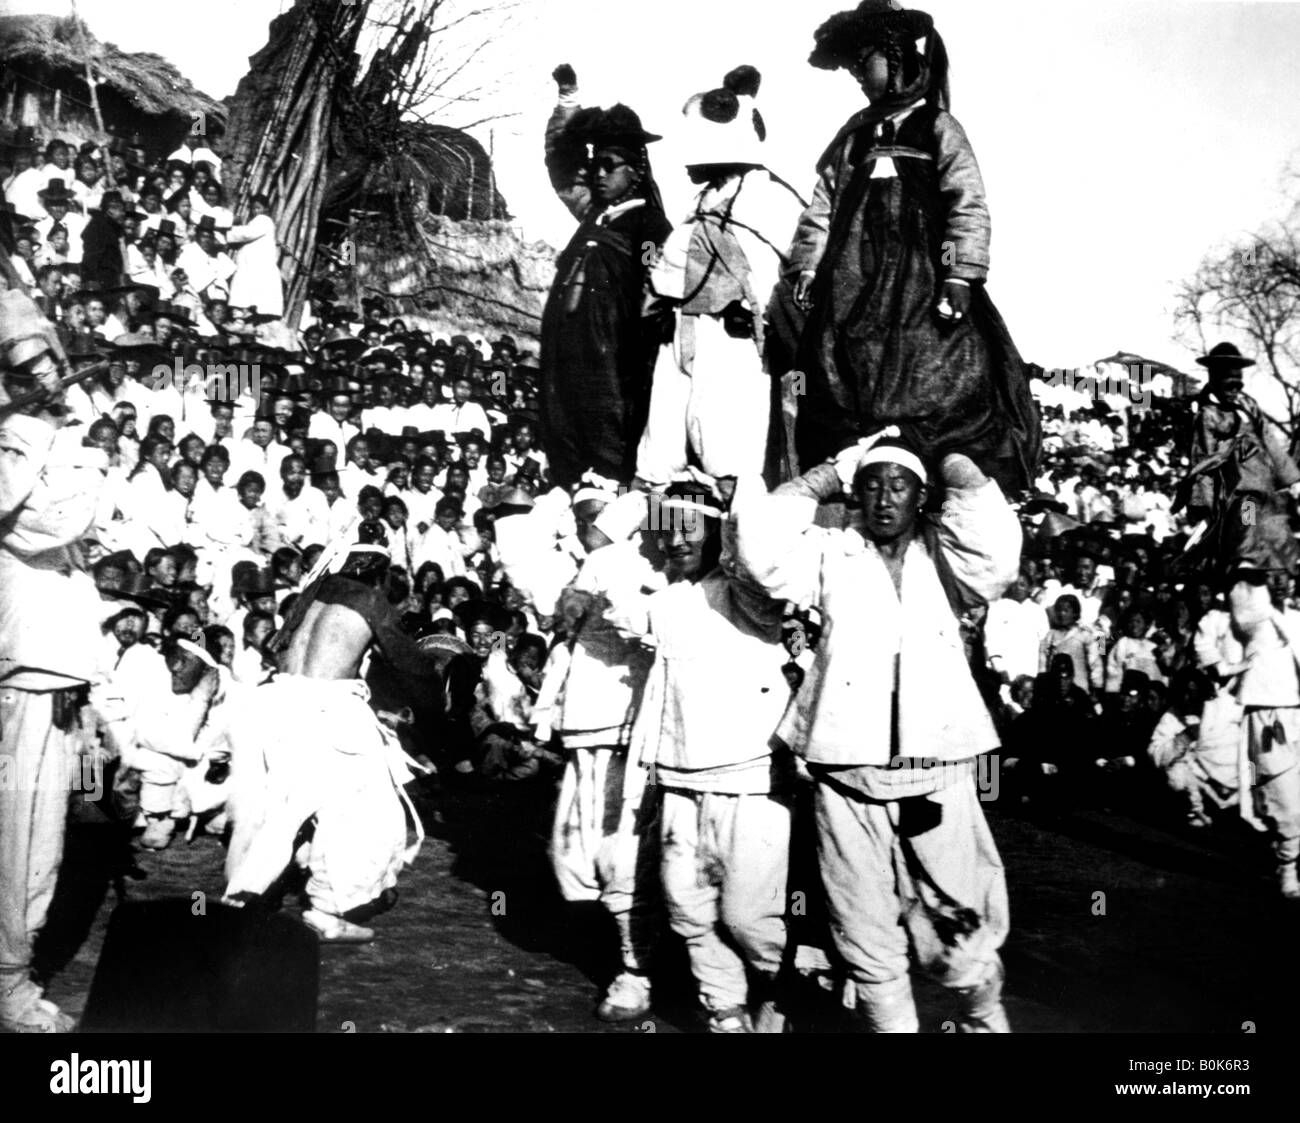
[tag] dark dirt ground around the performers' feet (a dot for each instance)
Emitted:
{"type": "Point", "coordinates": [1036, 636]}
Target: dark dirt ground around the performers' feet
{"type": "Point", "coordinates": [1177, 942]}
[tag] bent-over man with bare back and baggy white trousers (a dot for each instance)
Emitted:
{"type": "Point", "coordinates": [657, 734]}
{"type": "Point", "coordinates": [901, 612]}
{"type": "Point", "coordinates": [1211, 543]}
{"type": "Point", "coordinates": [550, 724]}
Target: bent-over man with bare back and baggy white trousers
{"type": "Point", "coordinates": [310, 747]}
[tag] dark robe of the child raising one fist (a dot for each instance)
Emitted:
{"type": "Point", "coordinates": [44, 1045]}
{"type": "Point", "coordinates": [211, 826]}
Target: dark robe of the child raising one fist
{"type": "Point", "coordinates": [596, 355]}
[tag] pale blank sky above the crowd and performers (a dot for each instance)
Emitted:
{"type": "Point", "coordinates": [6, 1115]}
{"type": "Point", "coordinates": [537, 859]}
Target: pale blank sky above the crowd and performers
{"type": "Point", "coordinates": [1120, 142]}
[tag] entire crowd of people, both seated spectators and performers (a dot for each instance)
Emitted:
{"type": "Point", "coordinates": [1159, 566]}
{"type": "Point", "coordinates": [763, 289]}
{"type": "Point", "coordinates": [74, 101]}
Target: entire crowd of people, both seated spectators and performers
{"type": "Point", "coordinates": [708, 550]}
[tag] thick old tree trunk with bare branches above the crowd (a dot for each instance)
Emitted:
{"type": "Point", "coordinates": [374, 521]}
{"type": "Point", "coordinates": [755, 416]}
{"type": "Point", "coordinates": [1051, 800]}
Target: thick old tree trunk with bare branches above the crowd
{"type": "Point", "coordinates": [352, 110]}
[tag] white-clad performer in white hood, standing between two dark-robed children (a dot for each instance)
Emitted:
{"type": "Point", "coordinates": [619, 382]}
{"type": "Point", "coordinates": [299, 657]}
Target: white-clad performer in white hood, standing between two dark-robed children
{"type": "Point", "coordinates": [712, 393]}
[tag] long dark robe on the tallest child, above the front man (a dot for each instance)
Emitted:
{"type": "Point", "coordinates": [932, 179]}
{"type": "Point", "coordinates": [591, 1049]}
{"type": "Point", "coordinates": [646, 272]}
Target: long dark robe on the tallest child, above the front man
{"type": "Point", "coordinates": [874, 352]}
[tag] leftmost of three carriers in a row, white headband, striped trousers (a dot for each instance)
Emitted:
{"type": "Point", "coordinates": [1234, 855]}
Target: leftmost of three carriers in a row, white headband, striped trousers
{"type": "Point", "coordinates": [605, 835]}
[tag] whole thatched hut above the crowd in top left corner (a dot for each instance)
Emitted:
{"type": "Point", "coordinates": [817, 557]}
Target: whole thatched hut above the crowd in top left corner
{"type": "Point", "coordinates": [44, 86]}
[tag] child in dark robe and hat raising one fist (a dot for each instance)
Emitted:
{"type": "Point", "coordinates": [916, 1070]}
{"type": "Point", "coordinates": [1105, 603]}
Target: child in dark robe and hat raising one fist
{"type": "Point", "coordinates": [596, 358]}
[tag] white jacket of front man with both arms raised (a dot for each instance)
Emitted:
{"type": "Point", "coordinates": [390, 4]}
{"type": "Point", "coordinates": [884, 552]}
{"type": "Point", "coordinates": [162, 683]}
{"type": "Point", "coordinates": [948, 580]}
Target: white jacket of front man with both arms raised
{"type": "Point", "coordinates": [843, 713]}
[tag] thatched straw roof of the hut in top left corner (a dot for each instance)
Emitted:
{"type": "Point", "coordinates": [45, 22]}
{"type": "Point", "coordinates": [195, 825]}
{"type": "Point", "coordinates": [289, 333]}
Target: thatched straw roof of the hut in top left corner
{"type": "Point", "coordinates": [58, 47]}
